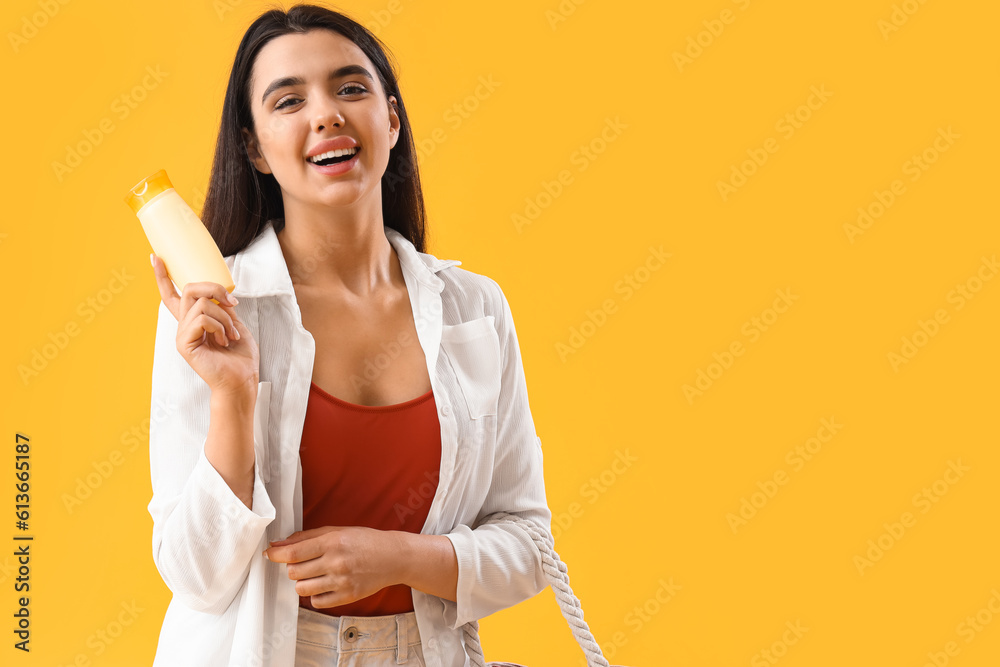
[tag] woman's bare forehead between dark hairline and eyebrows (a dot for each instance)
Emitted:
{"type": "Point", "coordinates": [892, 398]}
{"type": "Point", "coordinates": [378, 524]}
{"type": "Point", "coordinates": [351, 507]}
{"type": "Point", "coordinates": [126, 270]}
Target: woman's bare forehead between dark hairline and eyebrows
{"type": "Point", "coordinates": [311, 55]}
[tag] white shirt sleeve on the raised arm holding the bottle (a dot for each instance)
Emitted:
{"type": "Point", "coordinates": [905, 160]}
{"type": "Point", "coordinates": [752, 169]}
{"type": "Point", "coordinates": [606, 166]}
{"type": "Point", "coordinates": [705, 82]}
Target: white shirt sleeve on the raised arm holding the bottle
{"type": "Point", "coordinates": [204, 536]}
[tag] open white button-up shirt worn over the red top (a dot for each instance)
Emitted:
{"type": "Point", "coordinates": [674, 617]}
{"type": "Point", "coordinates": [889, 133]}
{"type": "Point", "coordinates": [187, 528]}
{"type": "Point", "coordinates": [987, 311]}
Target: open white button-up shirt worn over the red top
{"type": "Point", "coordinates": [230, 605]}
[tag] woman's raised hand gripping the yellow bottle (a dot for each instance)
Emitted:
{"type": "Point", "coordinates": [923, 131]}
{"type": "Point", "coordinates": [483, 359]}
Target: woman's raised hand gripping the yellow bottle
{"type": "Point", "coordinates": [210, 336]}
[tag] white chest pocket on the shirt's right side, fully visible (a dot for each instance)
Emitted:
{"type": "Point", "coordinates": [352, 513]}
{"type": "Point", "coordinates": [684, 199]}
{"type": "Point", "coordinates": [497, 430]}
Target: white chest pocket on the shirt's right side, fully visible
{"type": "Point", "coordinates": [473, 348]}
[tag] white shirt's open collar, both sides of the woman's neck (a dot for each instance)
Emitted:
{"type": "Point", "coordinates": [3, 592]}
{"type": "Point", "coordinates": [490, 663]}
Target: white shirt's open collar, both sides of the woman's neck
{"type": "Point", "coordinates": [260, 269]}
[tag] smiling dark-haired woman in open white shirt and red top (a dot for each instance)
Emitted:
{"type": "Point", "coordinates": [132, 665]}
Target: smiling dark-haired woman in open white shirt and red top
{"type": "Point", "coordinates": [326, 446]}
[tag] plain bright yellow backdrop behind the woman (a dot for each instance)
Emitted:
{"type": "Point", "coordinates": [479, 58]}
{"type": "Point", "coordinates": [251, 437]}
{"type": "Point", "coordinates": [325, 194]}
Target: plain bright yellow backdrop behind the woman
{"type": "Point", "coordinates": [564, 70]}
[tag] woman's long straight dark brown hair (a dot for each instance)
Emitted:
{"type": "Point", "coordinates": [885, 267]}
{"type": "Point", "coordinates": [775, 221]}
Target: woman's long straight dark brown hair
{"type": "Point", "coordinates": [240, 199]}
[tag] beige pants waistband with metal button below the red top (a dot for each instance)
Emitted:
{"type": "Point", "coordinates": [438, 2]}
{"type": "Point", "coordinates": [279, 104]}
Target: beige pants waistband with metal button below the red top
{"type": "Point", "coordinates": [348, 634]}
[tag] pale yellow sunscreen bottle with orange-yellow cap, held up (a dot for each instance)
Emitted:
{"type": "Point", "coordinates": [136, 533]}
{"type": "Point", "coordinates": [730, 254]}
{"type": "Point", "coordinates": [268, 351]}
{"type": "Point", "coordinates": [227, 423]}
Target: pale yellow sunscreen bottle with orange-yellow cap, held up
{"type": "Point", "coordinates": [177, 235]}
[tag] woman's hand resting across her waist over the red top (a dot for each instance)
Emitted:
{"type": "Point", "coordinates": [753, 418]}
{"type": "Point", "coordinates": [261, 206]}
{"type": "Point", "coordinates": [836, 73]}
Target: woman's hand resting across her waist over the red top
{"type": "Point", "coordinates": [337, 565]}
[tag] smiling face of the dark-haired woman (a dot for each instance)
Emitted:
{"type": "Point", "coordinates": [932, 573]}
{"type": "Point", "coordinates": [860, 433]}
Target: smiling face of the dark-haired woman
{"type": "Point", "coordinates": [292, 119]}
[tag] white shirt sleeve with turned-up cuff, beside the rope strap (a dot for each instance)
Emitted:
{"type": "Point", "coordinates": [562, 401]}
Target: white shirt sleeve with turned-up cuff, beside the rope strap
{"type": "Point", "coordinates": [499, 564]}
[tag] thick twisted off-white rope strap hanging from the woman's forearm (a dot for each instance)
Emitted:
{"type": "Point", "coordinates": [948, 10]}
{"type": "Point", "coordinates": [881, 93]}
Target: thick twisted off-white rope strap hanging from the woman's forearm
{"type": "Point", "coordinates": [569, 604]}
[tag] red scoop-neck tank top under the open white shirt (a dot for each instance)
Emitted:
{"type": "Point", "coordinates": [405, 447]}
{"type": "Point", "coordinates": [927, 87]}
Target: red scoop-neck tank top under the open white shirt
{"type": "Point", "coordinates": [374, 466]}
